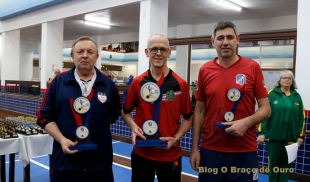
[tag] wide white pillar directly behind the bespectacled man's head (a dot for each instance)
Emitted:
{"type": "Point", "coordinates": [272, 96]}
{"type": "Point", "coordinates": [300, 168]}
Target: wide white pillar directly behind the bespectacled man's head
{"type": "Point", "coordinates": [153, 20]}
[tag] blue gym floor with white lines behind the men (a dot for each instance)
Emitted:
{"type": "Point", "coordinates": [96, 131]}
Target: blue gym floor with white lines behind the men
{"type": "Point", "coordinates": [39, 167]}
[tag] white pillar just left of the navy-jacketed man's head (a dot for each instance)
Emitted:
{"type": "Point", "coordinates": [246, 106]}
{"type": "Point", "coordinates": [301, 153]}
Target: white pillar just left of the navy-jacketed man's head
{"type": "Point", "coordinates": [51, 52]}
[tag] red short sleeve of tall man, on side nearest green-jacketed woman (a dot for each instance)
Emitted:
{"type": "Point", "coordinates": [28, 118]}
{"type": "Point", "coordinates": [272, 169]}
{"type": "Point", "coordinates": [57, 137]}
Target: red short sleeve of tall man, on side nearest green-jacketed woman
{"type": "Point", "coordinates": [259, 87]}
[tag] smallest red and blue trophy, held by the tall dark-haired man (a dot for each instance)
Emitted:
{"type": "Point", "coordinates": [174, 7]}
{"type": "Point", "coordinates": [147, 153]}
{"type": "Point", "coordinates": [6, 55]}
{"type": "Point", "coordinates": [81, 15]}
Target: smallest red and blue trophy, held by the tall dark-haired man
{"type": "Point", "coordinates": [232, 95]}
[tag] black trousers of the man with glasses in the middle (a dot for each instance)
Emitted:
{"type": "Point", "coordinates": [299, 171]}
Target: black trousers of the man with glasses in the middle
{"type": "Point", "coordinates": [143, 169]}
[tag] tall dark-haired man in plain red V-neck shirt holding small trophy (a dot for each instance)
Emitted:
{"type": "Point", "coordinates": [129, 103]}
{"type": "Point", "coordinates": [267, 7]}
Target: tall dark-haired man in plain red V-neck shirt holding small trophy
{"type": "Point", "coordinates": [232, 152]}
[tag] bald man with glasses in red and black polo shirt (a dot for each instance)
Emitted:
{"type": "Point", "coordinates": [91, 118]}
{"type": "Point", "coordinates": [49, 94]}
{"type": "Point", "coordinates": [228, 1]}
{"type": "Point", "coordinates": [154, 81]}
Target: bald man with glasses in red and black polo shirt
{"type": "Point", "coordinates": [175, 100]}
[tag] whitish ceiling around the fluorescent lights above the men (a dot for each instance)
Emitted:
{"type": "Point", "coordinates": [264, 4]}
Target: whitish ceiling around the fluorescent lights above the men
{"type": "Point", "coordinates": [126, 18]}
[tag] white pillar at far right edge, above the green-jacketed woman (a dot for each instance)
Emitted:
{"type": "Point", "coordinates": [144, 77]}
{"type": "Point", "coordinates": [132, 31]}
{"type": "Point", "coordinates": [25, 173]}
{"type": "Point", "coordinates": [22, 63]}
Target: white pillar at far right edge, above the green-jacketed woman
{"type": "Point", "coordinates": [302, 56]}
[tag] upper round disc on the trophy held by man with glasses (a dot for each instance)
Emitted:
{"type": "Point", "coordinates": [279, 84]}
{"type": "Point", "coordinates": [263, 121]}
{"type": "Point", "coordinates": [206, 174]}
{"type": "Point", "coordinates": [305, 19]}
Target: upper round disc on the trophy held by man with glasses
{"type": "Point", "coordinates": [150, 92]}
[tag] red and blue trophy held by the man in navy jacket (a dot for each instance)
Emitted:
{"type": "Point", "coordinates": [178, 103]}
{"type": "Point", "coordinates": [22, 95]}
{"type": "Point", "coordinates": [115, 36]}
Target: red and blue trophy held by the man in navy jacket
{"type": "Point", "coordinates": [82, 106]}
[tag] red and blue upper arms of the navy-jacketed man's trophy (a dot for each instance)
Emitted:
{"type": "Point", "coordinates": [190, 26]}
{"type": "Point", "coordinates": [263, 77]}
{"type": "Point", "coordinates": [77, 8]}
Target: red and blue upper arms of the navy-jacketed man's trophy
{"type": "Point", "coordinates": [77, 116]}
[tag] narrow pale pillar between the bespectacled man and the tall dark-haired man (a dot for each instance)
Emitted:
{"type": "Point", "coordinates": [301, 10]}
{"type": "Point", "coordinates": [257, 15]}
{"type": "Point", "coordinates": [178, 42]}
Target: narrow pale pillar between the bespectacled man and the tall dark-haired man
{"type": "Point", "coordinates": [181, 63]}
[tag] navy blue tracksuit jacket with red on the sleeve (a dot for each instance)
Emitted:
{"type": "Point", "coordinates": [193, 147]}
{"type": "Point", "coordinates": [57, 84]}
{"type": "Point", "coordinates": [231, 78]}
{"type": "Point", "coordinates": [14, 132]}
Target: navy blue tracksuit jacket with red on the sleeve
{"type": "Point", "coordinates": [56, 108]}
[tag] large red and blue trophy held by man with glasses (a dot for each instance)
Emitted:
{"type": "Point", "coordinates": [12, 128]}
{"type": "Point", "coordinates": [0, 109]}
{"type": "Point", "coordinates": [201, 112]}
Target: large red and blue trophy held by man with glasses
{"type": "Point", "coordinates": [150, 93]}
